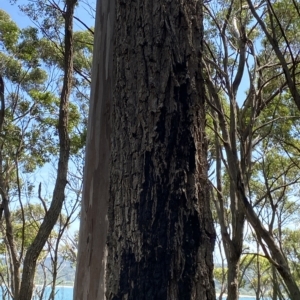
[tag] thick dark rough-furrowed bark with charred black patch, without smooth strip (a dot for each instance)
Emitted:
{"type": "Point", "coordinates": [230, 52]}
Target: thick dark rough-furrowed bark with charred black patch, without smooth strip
{"type": "Point", "coordinates": [160, 237]}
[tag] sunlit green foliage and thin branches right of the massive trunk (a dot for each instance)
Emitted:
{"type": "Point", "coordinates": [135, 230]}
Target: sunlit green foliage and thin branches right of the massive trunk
{"type": "Point", "coordinates": [257, 128]}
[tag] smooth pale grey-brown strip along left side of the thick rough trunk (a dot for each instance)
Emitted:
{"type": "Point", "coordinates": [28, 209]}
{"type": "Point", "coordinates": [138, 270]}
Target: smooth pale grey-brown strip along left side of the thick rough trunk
{"type": "Point", "coordinates": [90, 273]}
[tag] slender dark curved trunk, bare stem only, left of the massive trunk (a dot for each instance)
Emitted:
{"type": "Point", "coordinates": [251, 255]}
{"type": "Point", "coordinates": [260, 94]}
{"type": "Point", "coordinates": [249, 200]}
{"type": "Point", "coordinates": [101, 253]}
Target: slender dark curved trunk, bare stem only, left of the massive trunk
{"type": "Point", "coordinates": [52, 214]}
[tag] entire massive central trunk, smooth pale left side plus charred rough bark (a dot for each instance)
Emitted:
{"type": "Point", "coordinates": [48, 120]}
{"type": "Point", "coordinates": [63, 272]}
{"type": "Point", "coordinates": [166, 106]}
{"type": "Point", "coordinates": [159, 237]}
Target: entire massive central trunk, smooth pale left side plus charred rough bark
{"type": "Point", "coordinates": [150, 168]}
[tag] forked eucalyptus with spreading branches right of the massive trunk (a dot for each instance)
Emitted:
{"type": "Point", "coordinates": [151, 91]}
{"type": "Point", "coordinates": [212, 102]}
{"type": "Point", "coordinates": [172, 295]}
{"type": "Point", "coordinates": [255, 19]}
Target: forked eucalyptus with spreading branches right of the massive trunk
{"type": "Point", "coordinates": [240, 127]}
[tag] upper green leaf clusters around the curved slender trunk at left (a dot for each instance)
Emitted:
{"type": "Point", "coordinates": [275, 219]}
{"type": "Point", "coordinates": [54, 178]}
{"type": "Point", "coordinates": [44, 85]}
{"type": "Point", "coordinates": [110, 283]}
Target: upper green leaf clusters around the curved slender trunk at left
{"type": "Point", "coordinates": [27, 62]}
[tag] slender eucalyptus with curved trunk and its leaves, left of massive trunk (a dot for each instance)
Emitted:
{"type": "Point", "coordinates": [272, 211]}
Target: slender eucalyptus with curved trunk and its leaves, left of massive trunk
{"type": "Point", "coordinates": [39, 125]}
